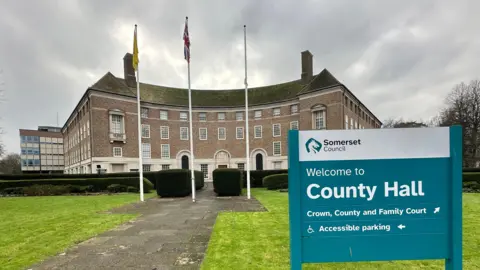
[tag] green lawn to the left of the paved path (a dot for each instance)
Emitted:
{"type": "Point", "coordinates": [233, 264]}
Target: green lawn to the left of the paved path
{"type": "Point", "coordinates": [34, 228]}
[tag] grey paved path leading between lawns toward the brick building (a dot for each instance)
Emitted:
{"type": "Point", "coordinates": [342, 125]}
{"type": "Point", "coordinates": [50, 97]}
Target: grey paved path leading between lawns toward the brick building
{"type": "Point", "coordinates": [169, 234]}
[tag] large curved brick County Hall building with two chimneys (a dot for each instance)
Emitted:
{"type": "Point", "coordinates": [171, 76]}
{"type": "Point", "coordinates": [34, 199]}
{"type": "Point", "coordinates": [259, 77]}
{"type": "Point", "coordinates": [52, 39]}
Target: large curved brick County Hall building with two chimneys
{"type": "Point", "coordinates": [101, 132]}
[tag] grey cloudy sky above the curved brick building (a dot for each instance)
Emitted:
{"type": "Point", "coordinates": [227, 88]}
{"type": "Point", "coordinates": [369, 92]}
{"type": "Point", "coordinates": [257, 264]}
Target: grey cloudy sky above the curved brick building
{"type": "Point", "coordinates": [400, 58]}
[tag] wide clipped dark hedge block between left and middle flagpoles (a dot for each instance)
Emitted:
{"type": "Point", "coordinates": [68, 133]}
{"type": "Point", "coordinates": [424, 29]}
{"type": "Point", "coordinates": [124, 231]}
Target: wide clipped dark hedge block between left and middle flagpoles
{"type": "Point", "coordinates": [177, 182]}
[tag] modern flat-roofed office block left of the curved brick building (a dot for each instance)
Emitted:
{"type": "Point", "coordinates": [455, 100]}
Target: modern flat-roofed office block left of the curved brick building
{"type": "Point", "coordinates": [41, 150]}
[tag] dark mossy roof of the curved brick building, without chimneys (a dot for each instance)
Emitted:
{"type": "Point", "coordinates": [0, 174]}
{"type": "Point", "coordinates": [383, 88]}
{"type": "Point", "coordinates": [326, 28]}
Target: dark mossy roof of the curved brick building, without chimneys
{"type": "Point", "coordinates": [216, 98]}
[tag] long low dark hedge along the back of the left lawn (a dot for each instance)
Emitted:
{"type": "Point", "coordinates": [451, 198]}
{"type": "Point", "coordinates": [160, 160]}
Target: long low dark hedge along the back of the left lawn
{"type": "Point", "coordinates": [94, 185]}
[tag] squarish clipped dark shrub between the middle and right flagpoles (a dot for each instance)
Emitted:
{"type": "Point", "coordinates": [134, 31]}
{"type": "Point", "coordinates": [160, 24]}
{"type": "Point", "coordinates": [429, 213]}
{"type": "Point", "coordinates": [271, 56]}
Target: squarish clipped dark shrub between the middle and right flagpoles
{"type": "Point", "coordinates": [227, 182]}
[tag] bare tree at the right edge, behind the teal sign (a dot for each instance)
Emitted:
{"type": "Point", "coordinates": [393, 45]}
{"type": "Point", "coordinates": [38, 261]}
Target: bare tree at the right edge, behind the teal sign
{"type": "Point", "coordinates": [462, 107]}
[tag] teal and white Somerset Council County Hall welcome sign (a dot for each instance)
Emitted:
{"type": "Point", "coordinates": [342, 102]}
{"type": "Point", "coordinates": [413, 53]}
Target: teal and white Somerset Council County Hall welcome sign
{"type": "Point", "coordinates": [375, 195]}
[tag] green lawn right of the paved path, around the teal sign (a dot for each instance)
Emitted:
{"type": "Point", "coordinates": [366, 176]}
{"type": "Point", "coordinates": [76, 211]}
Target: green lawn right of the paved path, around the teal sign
{"type": "Point", "coordinates": [261, 240]}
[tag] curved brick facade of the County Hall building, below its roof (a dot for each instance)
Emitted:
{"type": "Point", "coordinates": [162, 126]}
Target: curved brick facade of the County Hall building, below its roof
{"type": "Point", "coordinates": [92, 149]}
